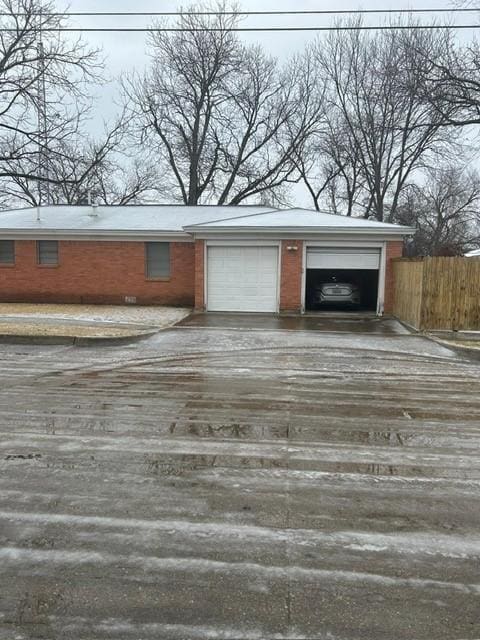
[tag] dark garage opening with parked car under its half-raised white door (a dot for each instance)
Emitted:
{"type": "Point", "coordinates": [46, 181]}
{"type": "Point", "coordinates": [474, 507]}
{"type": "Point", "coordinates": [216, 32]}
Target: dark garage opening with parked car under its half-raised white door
{"type": "Point", "coordinates": [342, 279]}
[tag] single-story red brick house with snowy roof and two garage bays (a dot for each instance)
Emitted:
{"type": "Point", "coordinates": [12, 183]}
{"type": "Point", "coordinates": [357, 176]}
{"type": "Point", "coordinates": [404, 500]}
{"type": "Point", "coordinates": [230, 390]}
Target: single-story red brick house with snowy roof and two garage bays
{"type": "Point", "coordinates": [211, 257]}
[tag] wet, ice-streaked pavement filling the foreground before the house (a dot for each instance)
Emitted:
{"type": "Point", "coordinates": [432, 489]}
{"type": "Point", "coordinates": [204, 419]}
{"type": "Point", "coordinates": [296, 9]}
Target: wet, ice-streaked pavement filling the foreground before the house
{"type": "Point", "coordinates": [240, 484]}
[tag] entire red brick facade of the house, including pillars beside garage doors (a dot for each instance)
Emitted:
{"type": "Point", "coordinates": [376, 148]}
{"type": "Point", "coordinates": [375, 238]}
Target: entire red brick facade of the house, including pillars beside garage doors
{"type": "Point", "coordinates": [107, 272]}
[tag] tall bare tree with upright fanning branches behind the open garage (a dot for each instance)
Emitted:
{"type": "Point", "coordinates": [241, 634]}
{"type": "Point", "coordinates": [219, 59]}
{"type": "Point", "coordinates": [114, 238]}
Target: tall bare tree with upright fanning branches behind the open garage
{"type": "Point", "coordinates": [374, 83]}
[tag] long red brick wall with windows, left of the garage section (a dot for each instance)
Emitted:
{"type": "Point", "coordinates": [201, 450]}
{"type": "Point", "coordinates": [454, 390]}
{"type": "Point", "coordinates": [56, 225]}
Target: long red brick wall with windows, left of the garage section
{"type": "Point", "coordinates": [98, 272]}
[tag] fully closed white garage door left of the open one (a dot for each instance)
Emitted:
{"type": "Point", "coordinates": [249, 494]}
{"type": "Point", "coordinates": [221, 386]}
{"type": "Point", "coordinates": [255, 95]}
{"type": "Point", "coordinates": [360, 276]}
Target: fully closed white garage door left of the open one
{"type": "Point", "coordinates": [242, 278]}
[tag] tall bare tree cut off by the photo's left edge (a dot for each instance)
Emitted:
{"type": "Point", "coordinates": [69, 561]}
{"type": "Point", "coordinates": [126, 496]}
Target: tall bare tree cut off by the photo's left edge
{"type": "Point", "coordinates": [34, 53]}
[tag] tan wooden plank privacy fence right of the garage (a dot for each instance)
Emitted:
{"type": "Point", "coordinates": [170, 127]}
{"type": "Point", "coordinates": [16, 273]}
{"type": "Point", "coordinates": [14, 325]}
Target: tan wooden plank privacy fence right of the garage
{"type": "Point", "coordinates": [438, 293]}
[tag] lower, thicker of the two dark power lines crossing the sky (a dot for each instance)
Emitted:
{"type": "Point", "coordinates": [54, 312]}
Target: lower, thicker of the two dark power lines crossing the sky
{"type": "Point", "coordinates": [248, 29]}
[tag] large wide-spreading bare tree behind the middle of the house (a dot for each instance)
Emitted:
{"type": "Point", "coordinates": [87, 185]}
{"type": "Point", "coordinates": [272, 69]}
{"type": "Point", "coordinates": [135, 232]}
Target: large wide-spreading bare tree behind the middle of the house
{"type": "Point", "coordinates": [223, 118]}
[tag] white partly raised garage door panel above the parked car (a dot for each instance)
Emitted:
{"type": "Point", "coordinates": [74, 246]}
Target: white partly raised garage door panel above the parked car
{"type": "Point", "coordinates": [343, 258]}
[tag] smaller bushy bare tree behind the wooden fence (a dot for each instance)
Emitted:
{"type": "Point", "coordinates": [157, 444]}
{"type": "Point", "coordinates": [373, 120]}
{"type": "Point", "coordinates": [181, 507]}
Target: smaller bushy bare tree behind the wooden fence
{"type": "Point", "coordinates": [446, 211]}
